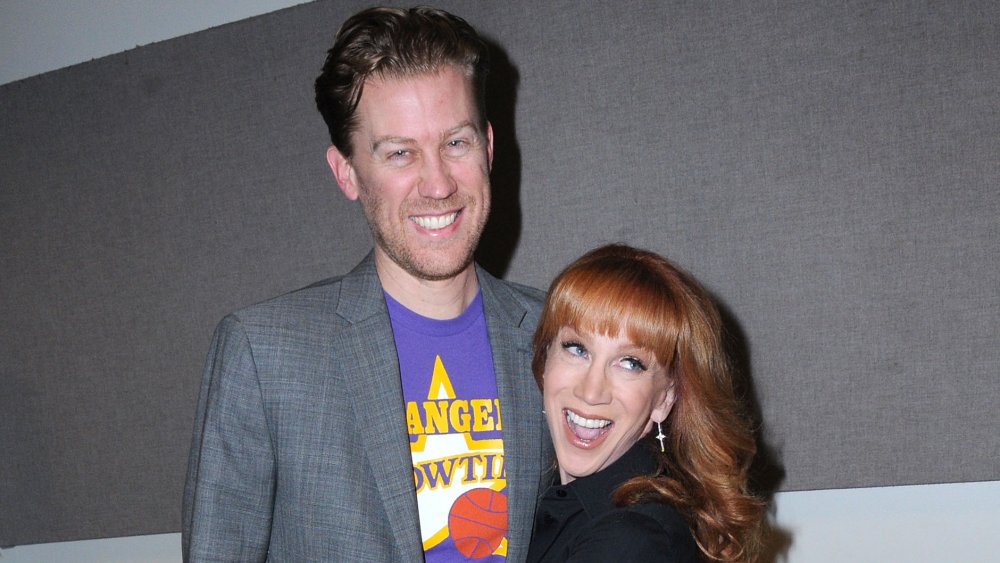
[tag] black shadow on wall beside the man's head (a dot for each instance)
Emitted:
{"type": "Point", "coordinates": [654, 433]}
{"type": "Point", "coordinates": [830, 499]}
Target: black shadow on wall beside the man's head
{"type": "Point", "coordinates": [503, 231]}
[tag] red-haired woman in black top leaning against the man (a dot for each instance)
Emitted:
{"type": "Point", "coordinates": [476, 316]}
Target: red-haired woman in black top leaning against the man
{"type": "Point", "coordinates": [652, 444]}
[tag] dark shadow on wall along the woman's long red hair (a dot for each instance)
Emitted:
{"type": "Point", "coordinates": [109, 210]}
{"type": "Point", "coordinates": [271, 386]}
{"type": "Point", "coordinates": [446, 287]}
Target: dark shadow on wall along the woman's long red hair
{"type": "Point", "coordinates": [766, 471]}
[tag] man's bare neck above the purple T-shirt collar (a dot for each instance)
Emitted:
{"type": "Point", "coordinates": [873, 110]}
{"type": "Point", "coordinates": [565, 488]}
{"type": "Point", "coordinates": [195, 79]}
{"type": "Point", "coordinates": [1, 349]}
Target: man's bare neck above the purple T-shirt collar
{"type": "Point", "coordinates": [436, 299]}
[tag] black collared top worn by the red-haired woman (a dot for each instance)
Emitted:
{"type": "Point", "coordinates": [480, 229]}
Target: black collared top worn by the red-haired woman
{"type": "Point", "coordinates": [577, 522]}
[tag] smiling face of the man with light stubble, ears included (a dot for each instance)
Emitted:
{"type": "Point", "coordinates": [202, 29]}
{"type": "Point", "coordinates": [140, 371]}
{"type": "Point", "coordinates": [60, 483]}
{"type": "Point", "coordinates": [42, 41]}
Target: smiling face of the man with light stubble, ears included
{"type": "Point", "coordinates": [420, 167]}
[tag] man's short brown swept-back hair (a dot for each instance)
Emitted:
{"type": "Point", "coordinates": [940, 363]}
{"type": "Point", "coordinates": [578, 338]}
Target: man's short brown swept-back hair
{"type": "Point", "coordinates": [393, 43]}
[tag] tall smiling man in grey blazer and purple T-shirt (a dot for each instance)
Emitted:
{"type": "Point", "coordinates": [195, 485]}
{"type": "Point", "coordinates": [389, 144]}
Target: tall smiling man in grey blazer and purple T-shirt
{"type": "Point", "coordinates": [388, 414]}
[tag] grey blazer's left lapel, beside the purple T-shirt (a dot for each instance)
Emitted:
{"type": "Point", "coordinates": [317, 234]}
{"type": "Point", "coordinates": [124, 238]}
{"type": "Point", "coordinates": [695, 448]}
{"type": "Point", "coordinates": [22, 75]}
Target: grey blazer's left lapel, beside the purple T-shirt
{"type": "Point", "coordinates": [378, 407]}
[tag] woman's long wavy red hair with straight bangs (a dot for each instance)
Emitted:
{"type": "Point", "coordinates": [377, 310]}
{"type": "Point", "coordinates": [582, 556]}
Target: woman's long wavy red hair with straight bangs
{"type": "Point", "coordinates": [618, 289]}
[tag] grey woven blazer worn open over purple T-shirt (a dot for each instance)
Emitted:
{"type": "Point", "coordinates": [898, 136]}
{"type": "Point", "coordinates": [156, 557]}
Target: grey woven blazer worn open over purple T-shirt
{"type": "Point", "coordinates": [300, 451]}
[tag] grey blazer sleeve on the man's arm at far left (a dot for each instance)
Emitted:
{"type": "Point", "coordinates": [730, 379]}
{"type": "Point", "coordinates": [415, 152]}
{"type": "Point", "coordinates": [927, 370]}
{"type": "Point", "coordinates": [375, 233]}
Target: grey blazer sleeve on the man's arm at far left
{"type": "Point", "coordinates": [229, 492]}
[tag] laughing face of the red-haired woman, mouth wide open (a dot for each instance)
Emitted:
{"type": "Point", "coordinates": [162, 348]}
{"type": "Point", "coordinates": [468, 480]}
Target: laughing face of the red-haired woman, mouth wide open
{"type": "Point", "coordinates": [601, 395]}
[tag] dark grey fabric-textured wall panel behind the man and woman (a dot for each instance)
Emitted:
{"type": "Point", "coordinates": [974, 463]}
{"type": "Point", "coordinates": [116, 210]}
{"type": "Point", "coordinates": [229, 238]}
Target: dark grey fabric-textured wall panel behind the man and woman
{"type": "Point", "coordinates": [830, 173]}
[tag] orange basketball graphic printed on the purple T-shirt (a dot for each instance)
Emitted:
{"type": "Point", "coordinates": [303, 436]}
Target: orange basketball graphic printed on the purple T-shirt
{"type": "Point", "coordinates": [477, 522]}
